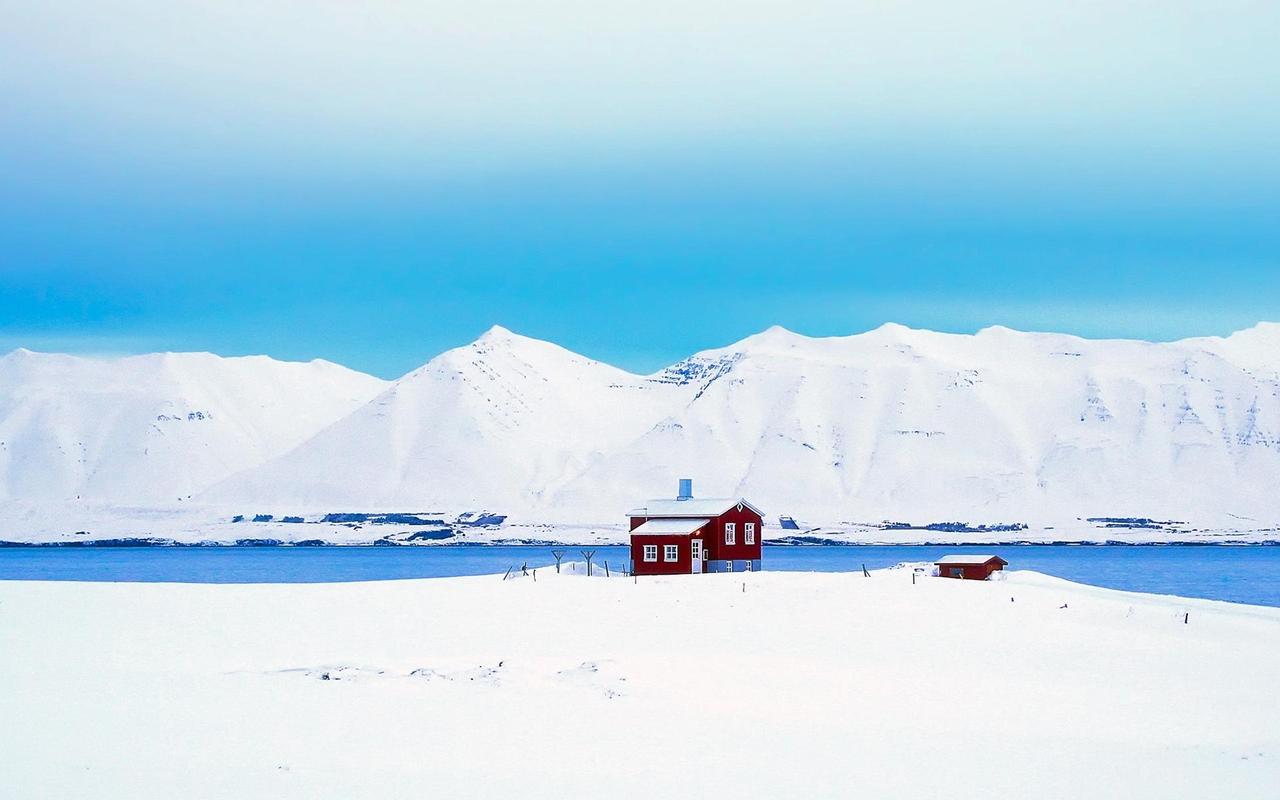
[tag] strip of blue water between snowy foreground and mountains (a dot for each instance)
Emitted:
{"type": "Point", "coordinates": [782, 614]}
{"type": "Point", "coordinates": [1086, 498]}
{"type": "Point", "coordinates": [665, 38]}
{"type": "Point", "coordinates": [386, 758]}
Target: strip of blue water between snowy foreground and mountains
{"type": "Point", "coordinates": [1237, 574]}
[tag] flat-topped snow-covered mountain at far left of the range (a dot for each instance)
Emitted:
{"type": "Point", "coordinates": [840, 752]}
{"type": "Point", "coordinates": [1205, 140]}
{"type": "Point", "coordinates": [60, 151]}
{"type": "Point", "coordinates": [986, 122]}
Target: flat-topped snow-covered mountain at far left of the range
{"type": "Point", "coordinates": [154, 429]}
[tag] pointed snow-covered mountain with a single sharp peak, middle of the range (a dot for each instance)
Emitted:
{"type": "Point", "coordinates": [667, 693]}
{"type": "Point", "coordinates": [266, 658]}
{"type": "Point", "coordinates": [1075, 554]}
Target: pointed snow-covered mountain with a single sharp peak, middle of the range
{"type": "Point", "coordinates": [500, 423]}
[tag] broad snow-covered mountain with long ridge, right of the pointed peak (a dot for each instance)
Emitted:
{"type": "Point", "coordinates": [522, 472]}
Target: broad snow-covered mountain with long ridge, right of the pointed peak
{"type": "Point", "coordinates": [998, 427]}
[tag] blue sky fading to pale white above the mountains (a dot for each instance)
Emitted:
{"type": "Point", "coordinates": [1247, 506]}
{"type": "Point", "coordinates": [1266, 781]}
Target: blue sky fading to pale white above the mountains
{"type": "Point", "coordinates": [373, 184]}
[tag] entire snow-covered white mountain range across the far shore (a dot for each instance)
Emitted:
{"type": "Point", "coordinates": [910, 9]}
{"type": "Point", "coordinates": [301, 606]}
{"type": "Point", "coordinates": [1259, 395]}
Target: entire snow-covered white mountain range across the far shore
{"type": "Point", "coordinates": [844, 435]}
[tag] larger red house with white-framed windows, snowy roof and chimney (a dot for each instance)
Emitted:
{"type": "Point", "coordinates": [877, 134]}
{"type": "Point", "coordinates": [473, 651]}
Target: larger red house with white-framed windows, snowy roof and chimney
{"type": "Point", "coordinates": [688, 536]}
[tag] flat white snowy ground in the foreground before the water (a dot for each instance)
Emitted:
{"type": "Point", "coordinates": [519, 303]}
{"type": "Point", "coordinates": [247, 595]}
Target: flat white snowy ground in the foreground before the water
{"type": "Point", "coordinates": [803, 685]}
